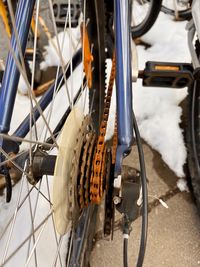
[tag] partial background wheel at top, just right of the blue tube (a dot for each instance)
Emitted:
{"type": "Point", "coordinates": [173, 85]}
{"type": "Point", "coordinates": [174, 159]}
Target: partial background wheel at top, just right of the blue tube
{"type": "Point", "coordinates": [143, 16]}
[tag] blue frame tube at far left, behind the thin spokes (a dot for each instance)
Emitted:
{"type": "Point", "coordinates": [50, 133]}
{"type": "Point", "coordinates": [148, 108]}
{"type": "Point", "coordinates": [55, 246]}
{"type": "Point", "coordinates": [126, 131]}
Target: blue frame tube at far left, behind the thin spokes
{"type": "Point", "coordinates": [11, 75]}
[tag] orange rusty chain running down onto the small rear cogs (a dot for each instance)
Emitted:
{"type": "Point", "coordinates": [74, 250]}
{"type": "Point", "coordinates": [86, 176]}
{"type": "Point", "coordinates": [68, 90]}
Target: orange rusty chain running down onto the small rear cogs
{"type": "Point", "coordinates": [96, 182]}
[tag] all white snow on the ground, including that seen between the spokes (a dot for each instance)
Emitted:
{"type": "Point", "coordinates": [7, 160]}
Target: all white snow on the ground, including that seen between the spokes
{"type": "Point", "coordinates": [157, 111]}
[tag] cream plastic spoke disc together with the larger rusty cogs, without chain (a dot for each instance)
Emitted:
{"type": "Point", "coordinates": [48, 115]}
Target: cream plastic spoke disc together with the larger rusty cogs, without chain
{"type": "Point", "coordinates": [72, 170]}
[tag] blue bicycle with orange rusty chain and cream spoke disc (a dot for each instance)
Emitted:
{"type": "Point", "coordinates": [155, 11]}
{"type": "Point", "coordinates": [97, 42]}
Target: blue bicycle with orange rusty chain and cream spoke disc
{"type": "Point", "coordinates": [93, 170]}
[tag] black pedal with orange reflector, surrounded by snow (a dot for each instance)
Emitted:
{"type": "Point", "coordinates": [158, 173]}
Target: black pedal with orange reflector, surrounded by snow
{"type": "Point", "coordinates": [167, 74]}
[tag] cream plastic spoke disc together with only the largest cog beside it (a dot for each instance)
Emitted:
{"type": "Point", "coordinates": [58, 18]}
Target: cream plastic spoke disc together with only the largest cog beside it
{"type": "Point", "coordinates": [68, 164]}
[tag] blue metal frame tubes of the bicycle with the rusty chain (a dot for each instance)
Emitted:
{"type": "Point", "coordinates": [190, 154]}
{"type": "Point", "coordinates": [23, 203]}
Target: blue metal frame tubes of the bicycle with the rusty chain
{"type": "Point", "coordinates": [11, 76]}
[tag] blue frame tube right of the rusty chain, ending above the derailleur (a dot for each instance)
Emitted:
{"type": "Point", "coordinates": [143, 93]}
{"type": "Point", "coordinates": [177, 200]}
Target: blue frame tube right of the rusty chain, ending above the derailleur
{"type": "Point", "coordinates": [123, 81]}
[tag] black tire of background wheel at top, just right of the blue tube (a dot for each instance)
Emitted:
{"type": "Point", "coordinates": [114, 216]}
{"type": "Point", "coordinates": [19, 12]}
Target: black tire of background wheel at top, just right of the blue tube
{"type": "Point", "coordinates": [148, 21]}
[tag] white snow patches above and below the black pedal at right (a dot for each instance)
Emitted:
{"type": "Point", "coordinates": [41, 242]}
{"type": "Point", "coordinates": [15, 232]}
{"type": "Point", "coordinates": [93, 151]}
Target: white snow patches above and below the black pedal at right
{"type": "Point", "coordinates": [157, 109]}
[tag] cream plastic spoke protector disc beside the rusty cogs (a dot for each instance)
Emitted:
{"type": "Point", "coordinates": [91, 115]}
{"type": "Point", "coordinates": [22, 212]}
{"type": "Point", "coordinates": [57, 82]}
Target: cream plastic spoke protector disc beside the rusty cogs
{"type": "Point", "coordinates": [63, 168]}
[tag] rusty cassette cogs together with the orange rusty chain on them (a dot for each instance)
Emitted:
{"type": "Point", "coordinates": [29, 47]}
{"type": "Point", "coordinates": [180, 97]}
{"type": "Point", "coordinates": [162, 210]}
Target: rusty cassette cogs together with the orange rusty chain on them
{"type": "Point", "coordinates": [87, 179]}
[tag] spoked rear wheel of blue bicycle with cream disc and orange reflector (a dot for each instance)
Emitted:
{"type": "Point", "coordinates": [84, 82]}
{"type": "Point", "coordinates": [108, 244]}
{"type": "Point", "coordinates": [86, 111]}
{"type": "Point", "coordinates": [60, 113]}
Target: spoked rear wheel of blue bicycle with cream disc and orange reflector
{"type": "Point", "coordinates": [30, 234]}
